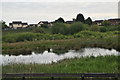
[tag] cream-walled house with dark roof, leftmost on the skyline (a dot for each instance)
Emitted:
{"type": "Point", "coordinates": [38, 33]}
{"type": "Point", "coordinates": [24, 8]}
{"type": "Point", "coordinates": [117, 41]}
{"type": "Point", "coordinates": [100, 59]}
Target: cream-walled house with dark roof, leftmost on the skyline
{"type": "Point", "coordinates": [17, 24]}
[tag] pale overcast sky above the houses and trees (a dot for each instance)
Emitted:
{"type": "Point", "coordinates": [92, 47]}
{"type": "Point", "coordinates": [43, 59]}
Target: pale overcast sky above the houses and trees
{"type": "Point", "coordinates": [35, 11]}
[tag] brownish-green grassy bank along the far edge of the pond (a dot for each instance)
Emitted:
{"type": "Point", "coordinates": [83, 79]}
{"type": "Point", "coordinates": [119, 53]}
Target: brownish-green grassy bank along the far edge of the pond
{"type": "Point", "coordinates": [60, 46]}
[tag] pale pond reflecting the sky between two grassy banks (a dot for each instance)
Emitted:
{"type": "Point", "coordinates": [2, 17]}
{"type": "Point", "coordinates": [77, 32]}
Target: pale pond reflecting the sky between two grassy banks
{"type": "Point", "coordinates": [50, 57]}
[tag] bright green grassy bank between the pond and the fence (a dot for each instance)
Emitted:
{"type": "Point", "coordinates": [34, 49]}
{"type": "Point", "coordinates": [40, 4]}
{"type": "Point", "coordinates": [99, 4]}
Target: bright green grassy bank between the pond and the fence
{"type": "Point", "coordinates": [106, 64]}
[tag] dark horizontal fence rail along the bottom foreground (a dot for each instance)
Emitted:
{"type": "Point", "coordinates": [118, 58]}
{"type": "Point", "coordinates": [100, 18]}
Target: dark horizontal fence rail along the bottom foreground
{"type": "Point", "coordinates": [53, 75]}
